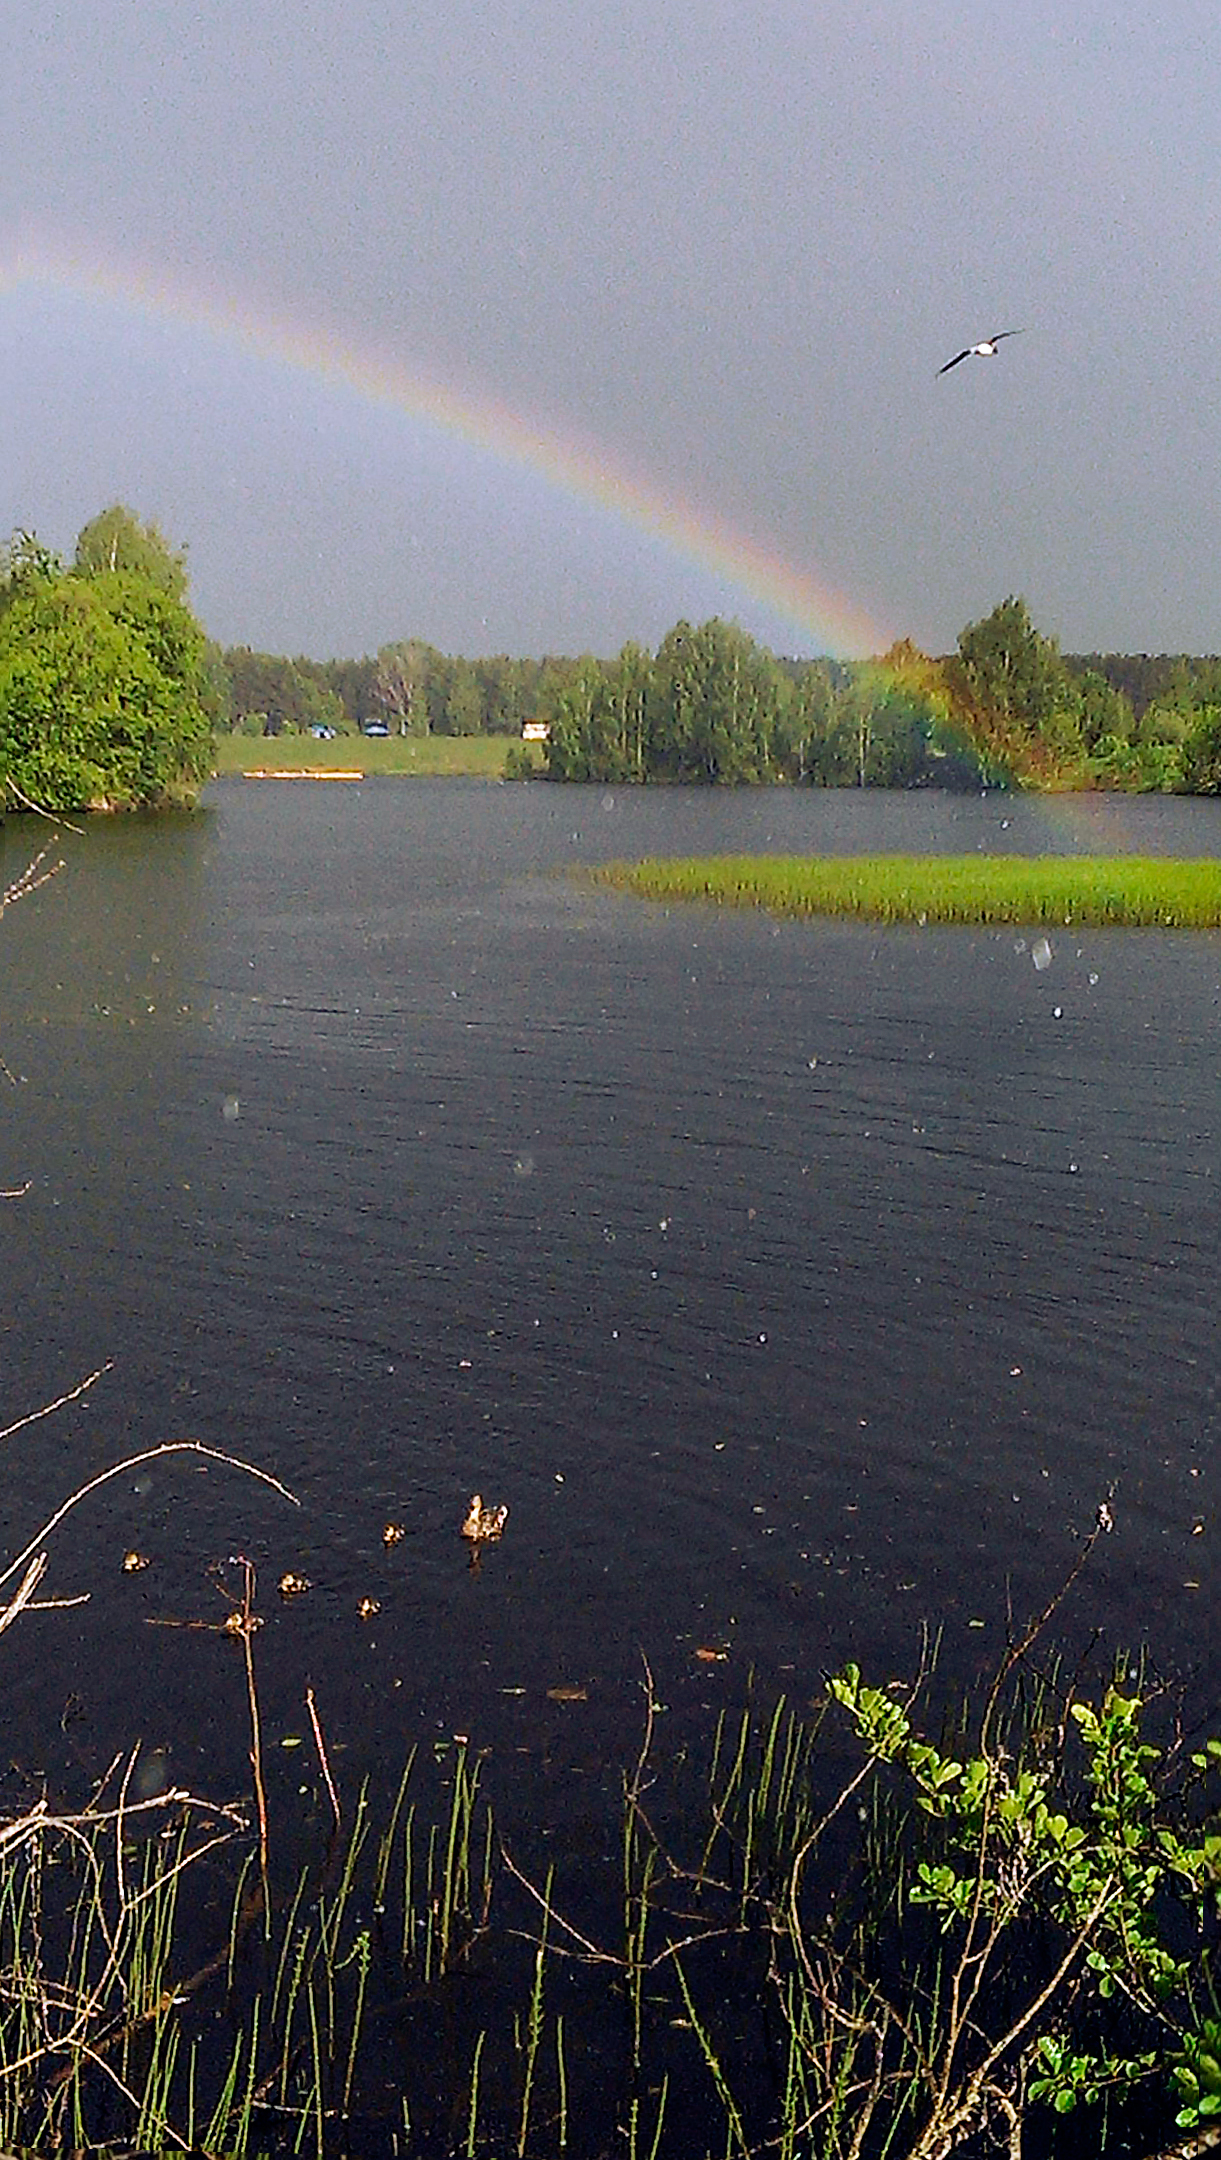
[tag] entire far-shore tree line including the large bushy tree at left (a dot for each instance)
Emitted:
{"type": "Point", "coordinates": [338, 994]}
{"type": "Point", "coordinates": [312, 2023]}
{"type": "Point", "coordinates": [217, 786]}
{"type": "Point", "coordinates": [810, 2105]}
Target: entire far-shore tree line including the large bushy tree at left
{"type": "Point", "coordinates": [111, 694]}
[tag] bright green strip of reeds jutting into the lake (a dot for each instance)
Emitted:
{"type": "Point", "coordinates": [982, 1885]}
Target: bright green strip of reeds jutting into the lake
{"type": "Point", "coordinates": [941, 889]}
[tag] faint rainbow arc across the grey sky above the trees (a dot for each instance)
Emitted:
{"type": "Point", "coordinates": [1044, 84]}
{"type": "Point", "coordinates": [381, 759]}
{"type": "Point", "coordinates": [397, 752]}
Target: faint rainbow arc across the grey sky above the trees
{"type": "Point", "coordinates": [576, 468]}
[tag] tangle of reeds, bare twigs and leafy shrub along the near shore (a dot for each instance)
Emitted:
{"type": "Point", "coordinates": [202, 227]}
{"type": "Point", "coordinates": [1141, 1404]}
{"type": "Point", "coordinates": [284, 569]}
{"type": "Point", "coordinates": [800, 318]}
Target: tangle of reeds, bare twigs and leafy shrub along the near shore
{"type": "Point", "coordinates": [803, 1958]}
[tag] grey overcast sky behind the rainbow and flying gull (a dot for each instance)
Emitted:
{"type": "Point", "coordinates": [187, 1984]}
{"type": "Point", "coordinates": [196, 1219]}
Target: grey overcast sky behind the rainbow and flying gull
{"type": "Point", "coordinates": [729, 245]}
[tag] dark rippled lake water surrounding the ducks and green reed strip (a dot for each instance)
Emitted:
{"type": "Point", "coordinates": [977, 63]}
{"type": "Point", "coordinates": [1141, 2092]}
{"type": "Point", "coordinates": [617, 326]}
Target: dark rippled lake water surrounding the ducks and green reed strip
{"type": "Point", "coordinates": [792, 1284]}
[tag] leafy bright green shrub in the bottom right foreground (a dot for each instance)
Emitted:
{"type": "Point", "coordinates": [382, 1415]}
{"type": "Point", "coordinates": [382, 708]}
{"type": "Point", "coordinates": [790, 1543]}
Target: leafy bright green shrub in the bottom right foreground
{"type": "Point", "coordinates": [1092, 1850]}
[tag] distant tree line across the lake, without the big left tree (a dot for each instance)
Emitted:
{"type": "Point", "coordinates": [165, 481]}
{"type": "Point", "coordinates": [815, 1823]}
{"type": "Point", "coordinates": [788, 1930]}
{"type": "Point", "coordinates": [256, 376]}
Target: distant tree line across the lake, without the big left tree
{"type": "Point", "coordinates": [714, 705]}
